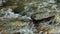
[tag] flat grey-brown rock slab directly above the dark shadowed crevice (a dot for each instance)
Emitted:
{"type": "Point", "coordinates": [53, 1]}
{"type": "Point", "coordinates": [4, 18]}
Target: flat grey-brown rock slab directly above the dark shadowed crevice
{"type": "Point", "coordinates": [42, 16]}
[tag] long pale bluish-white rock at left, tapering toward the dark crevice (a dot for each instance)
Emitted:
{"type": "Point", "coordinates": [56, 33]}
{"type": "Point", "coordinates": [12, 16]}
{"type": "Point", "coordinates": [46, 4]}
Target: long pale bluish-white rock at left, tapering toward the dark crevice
{"type": "Point", "coordinates": [9, 15]}
